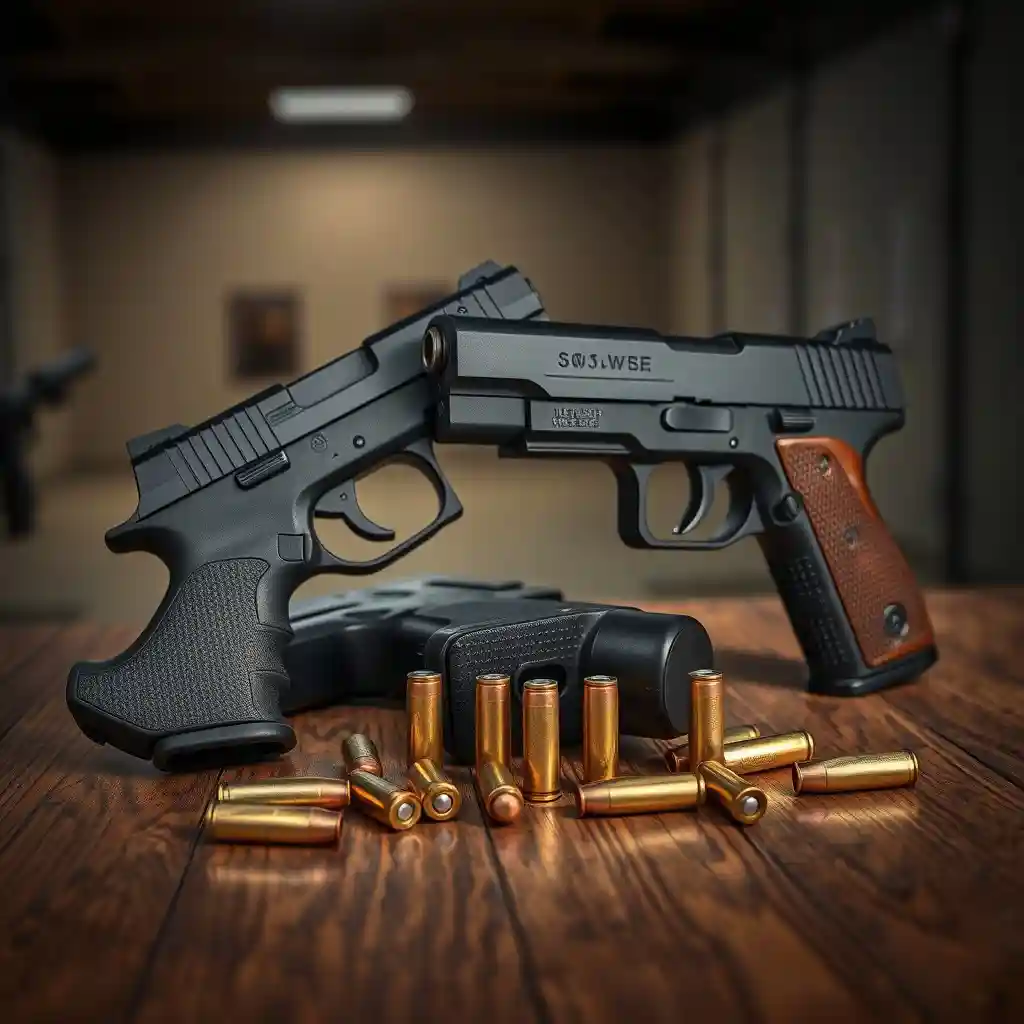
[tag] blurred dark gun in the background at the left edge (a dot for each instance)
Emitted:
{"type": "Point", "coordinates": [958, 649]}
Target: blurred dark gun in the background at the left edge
{"type": "Point", "coordinates": [47, 387]}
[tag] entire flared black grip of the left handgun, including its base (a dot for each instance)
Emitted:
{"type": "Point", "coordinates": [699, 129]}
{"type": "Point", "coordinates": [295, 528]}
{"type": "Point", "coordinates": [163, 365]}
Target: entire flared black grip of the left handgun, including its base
{"type": "Point", "coordinates": [201, 686]}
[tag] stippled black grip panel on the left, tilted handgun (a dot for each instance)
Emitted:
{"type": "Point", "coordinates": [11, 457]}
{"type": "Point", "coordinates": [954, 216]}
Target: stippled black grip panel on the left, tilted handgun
{"type": "Point", "coordinates": [206, 662]}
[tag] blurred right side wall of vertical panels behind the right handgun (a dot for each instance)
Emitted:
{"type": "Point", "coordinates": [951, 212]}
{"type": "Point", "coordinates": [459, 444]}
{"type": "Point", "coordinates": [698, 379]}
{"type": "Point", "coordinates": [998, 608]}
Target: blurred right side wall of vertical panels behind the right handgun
{"type": "Point", "coordinates": [875, 214]}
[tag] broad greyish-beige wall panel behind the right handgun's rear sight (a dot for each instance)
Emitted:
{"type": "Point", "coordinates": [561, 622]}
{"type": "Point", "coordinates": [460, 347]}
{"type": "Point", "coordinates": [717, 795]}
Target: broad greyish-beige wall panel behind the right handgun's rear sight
{"type": "Point", "coordinates": [877, 211]}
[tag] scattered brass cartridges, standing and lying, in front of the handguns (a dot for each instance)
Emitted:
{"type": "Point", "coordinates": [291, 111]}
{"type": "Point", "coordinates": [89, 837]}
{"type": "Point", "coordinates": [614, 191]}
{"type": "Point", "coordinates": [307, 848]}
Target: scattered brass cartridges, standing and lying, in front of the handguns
{"type": "Point", "coordinates": [709, 764]}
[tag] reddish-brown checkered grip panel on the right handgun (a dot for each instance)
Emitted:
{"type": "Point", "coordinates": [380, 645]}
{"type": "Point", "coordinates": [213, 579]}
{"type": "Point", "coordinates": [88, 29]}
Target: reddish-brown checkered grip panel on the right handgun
{"type": "Point", "coordinates": [881, 598]}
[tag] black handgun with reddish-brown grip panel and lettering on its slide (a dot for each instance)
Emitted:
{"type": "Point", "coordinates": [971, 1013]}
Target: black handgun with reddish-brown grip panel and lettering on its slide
{"type": "Point", "coordinates": [785, 423]}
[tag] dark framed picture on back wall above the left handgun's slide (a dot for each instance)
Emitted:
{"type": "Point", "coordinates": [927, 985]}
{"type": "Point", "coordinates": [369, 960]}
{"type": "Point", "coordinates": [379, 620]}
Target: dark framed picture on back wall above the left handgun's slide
{"type": "Point", "coordinates": [264, 334]}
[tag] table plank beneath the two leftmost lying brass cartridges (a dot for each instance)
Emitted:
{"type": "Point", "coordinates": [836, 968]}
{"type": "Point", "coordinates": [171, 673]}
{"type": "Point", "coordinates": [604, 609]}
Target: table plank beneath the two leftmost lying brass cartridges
{"type": "Point", "coordinates": [390, 927]}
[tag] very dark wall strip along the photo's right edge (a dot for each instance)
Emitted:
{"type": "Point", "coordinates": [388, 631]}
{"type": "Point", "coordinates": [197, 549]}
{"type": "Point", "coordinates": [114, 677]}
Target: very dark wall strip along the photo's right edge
{"type": "Point", "coordinates": [995, 389]}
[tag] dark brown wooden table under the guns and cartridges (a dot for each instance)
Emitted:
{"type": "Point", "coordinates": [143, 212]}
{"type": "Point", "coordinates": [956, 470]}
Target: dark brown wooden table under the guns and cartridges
{"type": "Point", "coordinates": [899, 906]}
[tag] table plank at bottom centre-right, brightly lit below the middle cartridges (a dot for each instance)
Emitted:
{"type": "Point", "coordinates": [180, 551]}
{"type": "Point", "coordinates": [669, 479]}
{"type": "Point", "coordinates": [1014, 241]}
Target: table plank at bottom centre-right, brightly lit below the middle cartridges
{"type": "Point", "coordinates": [661, 916]}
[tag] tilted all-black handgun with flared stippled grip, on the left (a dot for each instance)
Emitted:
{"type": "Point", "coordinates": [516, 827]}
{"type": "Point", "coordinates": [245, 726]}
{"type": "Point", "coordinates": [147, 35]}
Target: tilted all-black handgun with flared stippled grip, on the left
{"type": "Point", "coordinates": [229, 506]}
